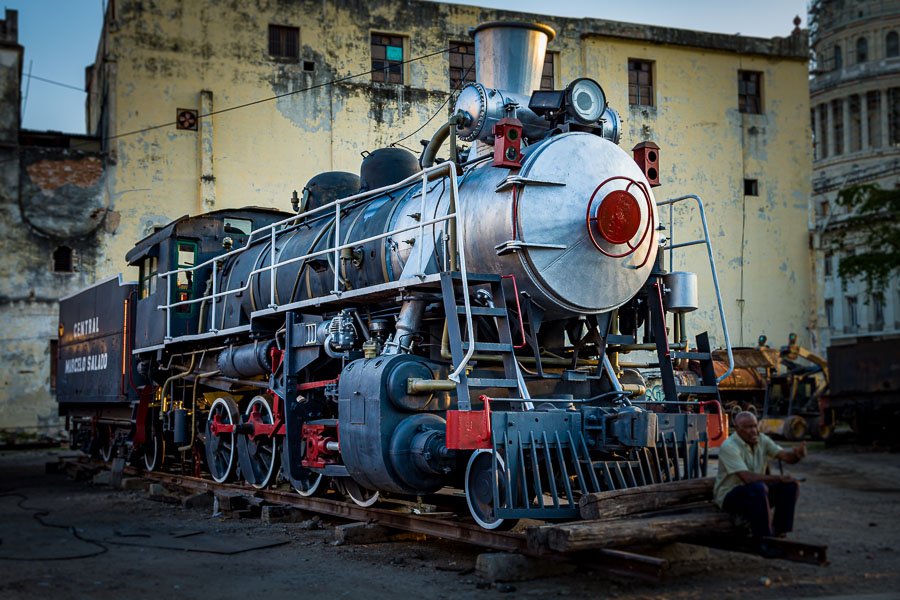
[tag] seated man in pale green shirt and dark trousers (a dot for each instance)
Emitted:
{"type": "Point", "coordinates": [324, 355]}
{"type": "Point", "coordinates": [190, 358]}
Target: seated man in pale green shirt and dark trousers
{"type": "Point", "coordinates": [742, 486]}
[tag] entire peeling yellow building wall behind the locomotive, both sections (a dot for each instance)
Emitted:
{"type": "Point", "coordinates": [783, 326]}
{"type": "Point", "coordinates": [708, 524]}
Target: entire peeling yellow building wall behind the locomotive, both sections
{"type": "Point", "coordinates": [166, 53]}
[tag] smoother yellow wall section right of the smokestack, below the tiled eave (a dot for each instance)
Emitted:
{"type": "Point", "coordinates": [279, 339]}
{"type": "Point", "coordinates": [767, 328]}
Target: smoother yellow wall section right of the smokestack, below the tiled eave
{"type": "Point", "coordinates": [708, 148]}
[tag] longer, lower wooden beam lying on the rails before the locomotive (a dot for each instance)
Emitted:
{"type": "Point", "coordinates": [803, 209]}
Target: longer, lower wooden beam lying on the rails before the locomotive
{"type": "Point", "coordinates": [587, 535]}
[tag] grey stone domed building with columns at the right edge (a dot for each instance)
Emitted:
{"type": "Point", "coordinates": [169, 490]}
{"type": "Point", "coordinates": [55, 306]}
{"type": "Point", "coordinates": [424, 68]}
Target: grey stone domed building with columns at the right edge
{"type": "Point", "coordinates": [855, 119]}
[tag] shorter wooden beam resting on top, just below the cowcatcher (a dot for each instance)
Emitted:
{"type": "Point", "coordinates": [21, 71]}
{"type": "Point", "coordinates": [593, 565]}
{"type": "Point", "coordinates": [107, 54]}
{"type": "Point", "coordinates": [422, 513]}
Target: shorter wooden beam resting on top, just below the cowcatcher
{"type": "Point", "coordinates": [630, 501]}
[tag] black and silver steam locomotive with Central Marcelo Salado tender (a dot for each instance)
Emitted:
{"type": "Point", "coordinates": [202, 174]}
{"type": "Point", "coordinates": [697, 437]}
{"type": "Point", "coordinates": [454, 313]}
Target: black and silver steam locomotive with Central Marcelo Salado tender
{"type": "Point", "coordinates": [423, 328]}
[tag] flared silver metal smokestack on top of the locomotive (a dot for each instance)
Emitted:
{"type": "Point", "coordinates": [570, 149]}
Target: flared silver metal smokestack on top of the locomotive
{"type": "Point", "coordinates": [509, 55]}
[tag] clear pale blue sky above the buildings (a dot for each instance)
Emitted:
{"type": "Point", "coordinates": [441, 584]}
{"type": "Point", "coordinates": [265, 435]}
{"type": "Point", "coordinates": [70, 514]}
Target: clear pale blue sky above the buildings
{"type": "Point", "coordinates": [60, 38]}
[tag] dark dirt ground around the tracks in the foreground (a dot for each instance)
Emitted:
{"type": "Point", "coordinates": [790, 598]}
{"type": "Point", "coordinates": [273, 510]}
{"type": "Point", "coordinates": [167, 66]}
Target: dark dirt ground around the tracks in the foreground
{"type": "Point", "coordinates": [65, 539]}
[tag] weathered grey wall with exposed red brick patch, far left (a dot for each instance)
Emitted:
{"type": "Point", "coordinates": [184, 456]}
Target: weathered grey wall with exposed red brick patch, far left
{"type": "Point", "coordinates": [51, 197]}
